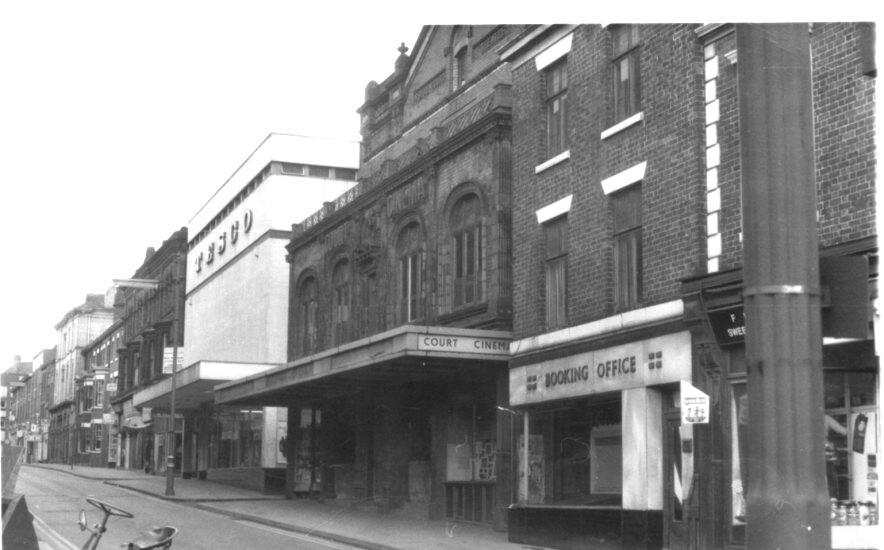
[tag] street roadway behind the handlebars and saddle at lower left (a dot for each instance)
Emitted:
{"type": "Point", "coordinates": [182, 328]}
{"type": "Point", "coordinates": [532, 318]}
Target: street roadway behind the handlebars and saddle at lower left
{"type": "Point", "coordinates": [56, 498]}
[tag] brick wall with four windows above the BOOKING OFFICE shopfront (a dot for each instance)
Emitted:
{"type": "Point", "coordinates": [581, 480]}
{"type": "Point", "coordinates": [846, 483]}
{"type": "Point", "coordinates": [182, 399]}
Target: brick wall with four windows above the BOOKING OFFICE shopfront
{"type": "Point", "coordinates": [669, 140]}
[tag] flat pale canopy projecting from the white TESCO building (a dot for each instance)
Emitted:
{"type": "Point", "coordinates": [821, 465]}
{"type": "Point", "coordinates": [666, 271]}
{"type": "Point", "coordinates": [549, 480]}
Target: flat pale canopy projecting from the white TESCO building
{"type": "Point", "coordinates": [194, 384]}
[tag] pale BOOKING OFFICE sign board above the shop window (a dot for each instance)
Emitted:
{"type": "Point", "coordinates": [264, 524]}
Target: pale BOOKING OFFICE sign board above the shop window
{"type": "Point", "coordinates": [660, 360]}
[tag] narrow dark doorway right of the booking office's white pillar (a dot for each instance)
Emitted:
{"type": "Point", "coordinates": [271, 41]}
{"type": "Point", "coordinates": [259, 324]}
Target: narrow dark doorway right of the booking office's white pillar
{"type": "Point", "coordinates": [678, 459]}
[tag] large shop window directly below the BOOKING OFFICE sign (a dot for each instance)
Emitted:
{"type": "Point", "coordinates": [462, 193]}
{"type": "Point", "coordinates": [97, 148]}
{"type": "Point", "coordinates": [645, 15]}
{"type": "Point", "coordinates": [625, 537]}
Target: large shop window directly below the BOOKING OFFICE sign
{"type": "Point", "coordinates": [574, 455]}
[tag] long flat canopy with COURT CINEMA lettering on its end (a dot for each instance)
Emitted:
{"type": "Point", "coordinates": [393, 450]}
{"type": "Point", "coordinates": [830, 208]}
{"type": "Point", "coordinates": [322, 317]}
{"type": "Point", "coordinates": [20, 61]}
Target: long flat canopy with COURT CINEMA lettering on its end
{"type": "Point", "coordinates": [404, 354]}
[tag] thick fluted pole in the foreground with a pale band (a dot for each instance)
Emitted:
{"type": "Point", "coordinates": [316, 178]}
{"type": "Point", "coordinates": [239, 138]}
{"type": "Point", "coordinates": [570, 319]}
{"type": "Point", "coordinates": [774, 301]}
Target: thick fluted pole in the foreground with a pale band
{"type": "Point", "coordinates": [787, 497]}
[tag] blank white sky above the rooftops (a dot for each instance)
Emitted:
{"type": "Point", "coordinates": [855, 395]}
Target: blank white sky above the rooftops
{"type": "Point", "coordinates": [119, 119]}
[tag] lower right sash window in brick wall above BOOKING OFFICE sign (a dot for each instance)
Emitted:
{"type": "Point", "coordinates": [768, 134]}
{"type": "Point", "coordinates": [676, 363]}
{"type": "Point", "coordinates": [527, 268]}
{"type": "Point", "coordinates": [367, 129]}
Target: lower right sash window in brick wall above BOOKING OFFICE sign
{"type": "Point", "coordinates": [627, 210]}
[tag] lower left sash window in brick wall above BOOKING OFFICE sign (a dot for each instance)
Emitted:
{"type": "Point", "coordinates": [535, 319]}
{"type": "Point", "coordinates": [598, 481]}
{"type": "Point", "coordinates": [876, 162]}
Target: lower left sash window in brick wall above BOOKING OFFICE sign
{"type": "Point", "coordinates": [555, 234]}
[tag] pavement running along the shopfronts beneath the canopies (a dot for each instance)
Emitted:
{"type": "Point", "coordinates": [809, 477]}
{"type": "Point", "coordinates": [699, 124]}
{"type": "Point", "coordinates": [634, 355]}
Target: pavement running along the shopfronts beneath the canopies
{"type": "Point", "coordinates": [326, 519]}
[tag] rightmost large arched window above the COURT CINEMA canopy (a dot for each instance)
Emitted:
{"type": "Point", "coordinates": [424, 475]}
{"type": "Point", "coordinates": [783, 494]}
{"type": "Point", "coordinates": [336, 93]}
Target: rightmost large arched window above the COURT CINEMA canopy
{"type": "Point", "coordinates": [466, 228]}
